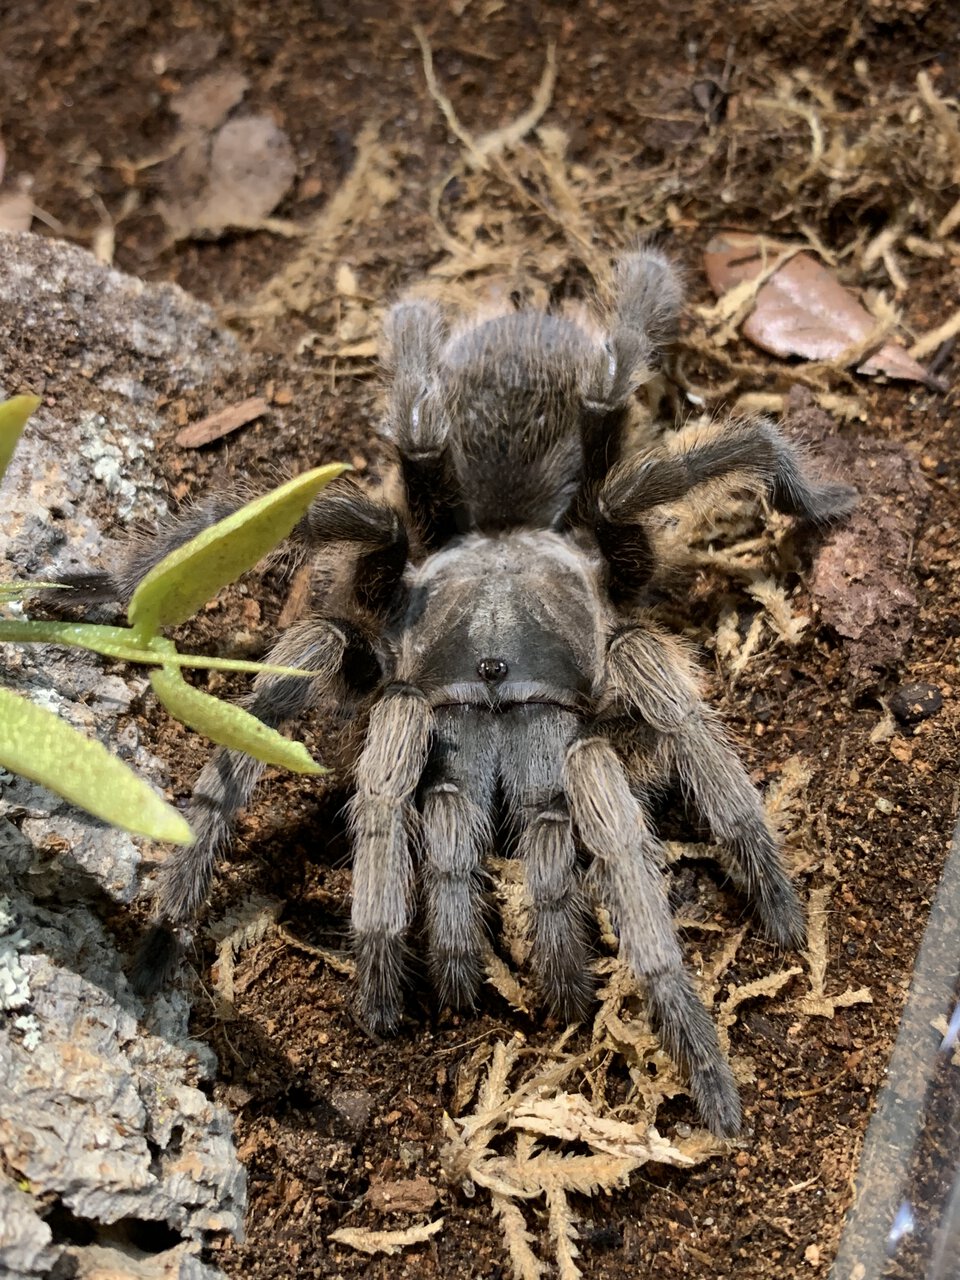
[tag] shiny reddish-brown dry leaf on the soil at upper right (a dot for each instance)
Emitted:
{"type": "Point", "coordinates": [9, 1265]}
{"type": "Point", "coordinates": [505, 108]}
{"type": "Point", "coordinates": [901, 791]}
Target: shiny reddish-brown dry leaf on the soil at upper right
{"type": "Point", "coordinates": [802, 310]}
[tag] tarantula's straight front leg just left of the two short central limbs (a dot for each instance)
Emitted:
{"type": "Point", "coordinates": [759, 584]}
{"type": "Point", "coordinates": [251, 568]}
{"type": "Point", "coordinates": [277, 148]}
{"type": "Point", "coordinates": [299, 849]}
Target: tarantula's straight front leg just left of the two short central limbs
{"type": "Point", "coordinates": [382, 815]}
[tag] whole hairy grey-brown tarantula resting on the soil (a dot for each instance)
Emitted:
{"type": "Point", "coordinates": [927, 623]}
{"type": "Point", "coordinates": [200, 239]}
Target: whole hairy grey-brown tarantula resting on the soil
{"type": "Point", "coordinates": [490, 624]}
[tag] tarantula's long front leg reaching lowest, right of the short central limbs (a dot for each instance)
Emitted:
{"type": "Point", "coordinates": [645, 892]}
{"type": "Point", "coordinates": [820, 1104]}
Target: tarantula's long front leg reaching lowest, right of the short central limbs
{"type": "Point", "coordinates": [628, 861]}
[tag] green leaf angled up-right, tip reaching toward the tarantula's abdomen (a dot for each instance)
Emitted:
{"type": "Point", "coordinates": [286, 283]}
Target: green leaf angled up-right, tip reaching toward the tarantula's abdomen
{"type": "Point", "coordinates": [176, 588]}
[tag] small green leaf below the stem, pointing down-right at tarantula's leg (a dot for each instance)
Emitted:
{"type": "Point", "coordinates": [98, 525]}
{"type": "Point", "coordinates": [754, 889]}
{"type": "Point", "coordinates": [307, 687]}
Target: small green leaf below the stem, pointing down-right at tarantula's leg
{"type": "Point", "coordinates": [228, 725]}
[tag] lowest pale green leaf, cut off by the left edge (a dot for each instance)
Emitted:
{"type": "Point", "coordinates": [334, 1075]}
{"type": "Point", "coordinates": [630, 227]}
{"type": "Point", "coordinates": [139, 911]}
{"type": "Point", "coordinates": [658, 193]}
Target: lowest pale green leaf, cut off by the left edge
{"type": "Point", "coordinates": [42, 747]}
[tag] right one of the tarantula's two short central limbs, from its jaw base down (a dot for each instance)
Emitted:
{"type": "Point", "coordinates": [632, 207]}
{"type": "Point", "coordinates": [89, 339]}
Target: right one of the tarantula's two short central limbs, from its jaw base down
{"type": "Point", "coordinates": [534, 744]}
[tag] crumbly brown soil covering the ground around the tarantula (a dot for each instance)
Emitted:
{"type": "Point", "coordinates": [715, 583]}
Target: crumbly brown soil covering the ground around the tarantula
{"type": "Point", "coordinates": [652, 107]}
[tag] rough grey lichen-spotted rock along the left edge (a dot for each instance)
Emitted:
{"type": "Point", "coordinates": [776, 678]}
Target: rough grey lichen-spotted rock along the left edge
{"type": "Point", "coordinates": [120, 1163]}
